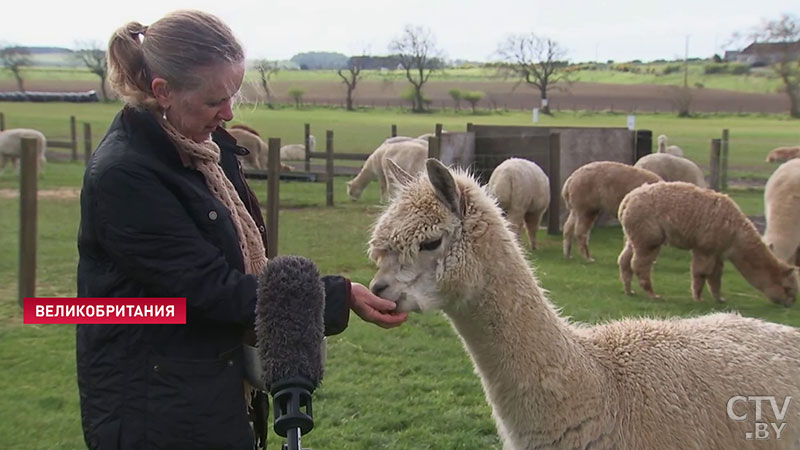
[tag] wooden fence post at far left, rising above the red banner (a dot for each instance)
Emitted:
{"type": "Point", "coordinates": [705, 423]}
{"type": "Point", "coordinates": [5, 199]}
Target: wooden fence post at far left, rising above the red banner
{"type": "Point", "coordinates": [28, 220]}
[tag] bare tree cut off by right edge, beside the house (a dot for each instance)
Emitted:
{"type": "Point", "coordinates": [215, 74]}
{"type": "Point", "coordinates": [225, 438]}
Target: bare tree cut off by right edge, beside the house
{"type": "Point", "coordinates": [784, 34]}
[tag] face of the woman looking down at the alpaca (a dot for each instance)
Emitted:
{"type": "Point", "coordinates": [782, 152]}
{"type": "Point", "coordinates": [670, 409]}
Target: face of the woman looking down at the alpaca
{"type": "Point", "coordinates": [196, 113]}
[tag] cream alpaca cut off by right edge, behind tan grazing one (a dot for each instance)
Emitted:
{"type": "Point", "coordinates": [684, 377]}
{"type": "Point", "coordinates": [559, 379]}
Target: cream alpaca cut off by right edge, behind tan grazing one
{"type": "Point", "coordinates": [782, 209]}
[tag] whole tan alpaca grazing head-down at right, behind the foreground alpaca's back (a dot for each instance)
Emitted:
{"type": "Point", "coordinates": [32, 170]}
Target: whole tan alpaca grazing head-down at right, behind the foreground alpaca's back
{"type": "Point", "coordinates": [709, 224]}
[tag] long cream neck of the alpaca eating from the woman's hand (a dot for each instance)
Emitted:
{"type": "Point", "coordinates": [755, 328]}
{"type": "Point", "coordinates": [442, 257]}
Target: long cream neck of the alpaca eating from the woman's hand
{"type": "Point", "coordinates": [531, 361]}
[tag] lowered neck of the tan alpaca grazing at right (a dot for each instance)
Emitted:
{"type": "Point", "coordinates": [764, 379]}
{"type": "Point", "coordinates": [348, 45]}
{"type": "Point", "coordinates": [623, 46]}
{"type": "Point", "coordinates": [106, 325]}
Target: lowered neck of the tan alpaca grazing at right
{"type": "Point", "coordinates": [757, 264]}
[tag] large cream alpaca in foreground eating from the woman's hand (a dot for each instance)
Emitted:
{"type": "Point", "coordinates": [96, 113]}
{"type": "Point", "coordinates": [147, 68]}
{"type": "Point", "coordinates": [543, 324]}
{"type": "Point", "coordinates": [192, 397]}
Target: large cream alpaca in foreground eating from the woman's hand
{"type": "Point", "coordinates": [634, 384]}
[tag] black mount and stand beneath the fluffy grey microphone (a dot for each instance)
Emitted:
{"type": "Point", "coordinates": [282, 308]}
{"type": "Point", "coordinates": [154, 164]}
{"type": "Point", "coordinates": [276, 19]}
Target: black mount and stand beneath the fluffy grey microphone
{"type": "Point", "coordinates": [290, 396]}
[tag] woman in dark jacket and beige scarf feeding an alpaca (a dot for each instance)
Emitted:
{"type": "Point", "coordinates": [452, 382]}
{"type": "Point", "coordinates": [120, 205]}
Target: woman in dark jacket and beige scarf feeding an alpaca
{"type": "Point", "coordinates": [165, 212]}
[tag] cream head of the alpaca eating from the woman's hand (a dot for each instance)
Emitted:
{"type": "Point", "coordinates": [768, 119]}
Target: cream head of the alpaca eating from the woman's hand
{"type": "Point", "coordinates": [431, 242]}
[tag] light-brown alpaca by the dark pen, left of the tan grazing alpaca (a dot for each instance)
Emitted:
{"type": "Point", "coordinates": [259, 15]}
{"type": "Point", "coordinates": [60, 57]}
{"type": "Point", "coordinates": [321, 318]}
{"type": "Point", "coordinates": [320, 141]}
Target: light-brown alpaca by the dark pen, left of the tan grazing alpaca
{"type": "Point", "coordinates": [595, 187]}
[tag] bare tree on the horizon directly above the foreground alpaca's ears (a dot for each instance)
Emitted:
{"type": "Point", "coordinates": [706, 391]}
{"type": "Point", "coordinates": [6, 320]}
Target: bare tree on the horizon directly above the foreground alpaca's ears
{"type": "Point", "coordinates": [419, 57]}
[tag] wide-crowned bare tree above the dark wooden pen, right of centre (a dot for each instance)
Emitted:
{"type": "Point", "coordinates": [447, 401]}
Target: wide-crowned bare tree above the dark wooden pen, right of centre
{"type": "Point", "coordinates": [538, 61]}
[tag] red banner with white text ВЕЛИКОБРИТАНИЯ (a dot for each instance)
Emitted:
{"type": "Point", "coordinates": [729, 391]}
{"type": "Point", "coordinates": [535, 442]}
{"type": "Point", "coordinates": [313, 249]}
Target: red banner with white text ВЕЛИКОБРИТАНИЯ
{"type": "Point", "coordinates": [41, 310]}
